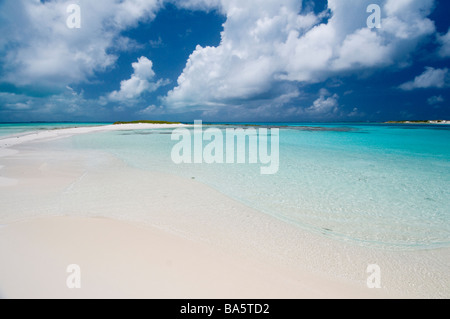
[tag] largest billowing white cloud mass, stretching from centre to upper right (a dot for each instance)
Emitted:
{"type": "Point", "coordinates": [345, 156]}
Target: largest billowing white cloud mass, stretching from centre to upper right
{"type": "Point", "coordinates": [266, 44]}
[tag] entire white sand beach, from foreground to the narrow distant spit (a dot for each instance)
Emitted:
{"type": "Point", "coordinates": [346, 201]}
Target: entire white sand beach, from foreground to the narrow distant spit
{"type": "Point", "coordinates": [150, 234]}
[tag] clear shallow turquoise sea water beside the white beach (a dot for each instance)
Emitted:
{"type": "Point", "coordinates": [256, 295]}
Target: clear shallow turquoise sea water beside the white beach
{"type": "Point", "coordinates": [378, 185]}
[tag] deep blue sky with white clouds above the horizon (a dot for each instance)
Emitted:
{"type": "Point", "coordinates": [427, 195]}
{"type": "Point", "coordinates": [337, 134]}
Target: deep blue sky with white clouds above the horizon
{"type": "Point", "coordinates": [224, 60]}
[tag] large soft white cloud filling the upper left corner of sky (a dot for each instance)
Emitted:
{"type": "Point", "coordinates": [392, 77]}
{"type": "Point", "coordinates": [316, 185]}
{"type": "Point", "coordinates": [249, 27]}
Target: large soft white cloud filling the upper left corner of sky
{"type": "Point", "coordinates": [43, 51]}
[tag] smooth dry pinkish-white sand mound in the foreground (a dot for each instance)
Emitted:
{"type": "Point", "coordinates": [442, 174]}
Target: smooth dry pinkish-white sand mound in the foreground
{"type": "Point", "coordinates": [122, 260]}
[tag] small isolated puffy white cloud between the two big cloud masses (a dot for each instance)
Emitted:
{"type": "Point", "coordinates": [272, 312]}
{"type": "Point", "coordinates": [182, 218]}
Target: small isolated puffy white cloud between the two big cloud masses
{"type": "Point", "coordinates": [141, 81]}
